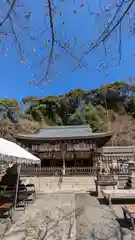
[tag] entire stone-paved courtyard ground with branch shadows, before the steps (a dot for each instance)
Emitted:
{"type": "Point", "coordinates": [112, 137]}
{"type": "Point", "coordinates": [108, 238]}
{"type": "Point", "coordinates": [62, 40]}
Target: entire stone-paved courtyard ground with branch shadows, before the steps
{"type": "Point", "coordinates": [68, 216]}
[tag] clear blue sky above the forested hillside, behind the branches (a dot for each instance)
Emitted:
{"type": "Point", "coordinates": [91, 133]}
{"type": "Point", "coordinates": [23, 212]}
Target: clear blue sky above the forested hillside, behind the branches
{"type": "Point", "coordinates": [15, 78]}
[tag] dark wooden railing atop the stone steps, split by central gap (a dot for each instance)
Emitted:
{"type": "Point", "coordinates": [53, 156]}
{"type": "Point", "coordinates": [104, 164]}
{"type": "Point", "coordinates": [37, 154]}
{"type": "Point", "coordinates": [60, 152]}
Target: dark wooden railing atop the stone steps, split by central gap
{"type": "Point", "coordinates": [55, 171]}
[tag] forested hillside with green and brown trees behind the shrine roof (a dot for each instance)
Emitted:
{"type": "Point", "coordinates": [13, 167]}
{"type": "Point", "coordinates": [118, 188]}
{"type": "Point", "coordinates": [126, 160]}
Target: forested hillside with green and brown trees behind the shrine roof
{"type": "Point", "coordinates": [110, 107]}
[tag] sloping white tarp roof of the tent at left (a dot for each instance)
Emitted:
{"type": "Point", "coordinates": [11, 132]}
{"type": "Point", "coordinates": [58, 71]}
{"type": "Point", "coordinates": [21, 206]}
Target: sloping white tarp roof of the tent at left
{"type": "Point", "coordinates": [11, 152]}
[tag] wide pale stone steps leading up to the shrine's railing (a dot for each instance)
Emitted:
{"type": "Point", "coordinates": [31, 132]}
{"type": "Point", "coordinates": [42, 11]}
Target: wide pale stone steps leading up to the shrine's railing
{"type": "Point", "coordinates": [69, 184]}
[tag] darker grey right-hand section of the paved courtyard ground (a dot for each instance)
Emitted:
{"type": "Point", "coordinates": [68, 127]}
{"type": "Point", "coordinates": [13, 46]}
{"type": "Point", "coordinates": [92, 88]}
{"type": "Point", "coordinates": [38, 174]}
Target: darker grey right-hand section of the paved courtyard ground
{"type": "Point", "coordinates": [99, 221]}
